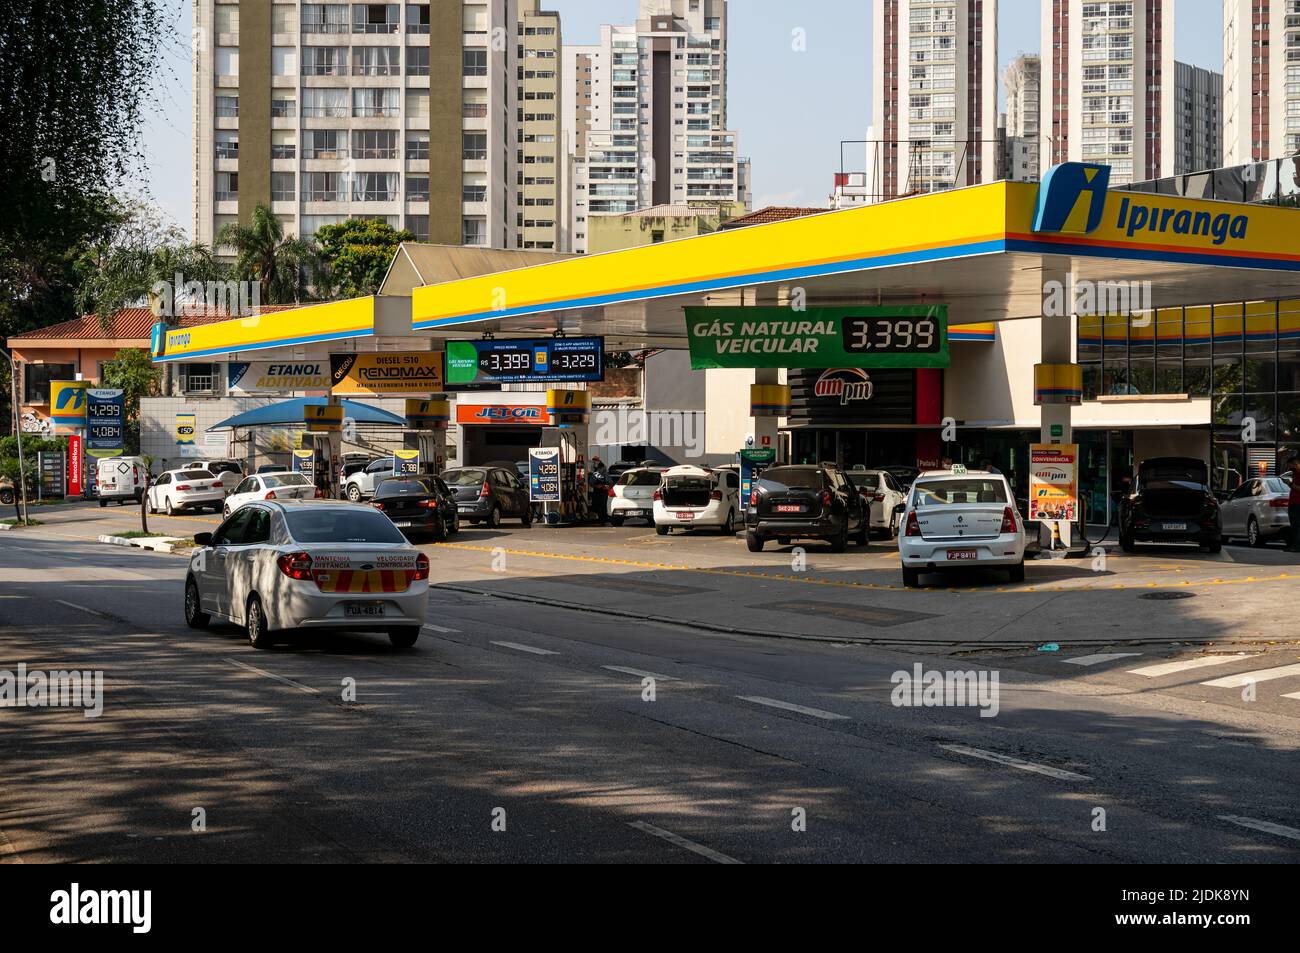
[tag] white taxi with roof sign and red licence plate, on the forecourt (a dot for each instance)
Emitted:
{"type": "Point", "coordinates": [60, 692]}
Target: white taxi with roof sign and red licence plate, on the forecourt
{"type": "Point", "coordinates": [957, 519]}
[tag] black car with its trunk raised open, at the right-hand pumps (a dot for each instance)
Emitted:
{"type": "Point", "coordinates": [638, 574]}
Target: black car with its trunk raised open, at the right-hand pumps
{"type": "Point", "coordinates": [1172, 501]}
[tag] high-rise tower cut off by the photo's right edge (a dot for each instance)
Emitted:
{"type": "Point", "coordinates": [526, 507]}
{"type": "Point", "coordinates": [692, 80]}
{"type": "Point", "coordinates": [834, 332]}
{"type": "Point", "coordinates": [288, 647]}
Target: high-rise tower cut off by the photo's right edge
{"type": "Point", "coordinates": [1262, 80]}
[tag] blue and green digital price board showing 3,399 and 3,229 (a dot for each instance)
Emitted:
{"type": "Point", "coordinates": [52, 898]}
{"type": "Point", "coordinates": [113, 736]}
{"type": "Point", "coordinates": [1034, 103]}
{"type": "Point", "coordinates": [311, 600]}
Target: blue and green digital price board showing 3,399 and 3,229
{"type": "Point", "coordinates": [538, 361]}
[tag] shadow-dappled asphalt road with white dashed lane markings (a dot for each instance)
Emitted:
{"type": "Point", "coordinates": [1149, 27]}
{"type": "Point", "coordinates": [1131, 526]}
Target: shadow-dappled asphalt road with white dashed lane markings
{"type": "Point", "coordinates": [539, 720]}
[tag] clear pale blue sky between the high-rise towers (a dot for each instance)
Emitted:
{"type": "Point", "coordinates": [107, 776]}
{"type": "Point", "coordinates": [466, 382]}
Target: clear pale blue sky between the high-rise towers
{"type": "Point", "coordinates": [794, 96]}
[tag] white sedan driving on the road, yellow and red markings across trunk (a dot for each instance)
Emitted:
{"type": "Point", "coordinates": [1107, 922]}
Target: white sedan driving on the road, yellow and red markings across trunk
{"type": "Point", "coordinates": [309, 565]}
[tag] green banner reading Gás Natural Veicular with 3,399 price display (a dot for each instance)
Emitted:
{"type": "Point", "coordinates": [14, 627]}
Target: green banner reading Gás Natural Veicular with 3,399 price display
{"type": "Point", "coordinates": [905, 336]}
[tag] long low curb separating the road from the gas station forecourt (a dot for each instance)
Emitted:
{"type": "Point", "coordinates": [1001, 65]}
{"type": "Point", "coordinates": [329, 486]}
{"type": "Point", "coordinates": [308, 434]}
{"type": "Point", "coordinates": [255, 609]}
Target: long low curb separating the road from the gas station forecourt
{"type": "Point", "coordinates": [813, 638]}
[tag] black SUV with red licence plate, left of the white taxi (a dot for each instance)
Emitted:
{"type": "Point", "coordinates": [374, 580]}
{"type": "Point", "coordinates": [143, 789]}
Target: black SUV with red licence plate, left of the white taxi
{"type": "Point", "coordinates": [807, 503]}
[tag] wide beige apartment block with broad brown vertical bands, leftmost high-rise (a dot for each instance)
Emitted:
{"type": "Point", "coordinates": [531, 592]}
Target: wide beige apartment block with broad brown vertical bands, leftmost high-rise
{"type": "Point", "coordinates": [331, 111]}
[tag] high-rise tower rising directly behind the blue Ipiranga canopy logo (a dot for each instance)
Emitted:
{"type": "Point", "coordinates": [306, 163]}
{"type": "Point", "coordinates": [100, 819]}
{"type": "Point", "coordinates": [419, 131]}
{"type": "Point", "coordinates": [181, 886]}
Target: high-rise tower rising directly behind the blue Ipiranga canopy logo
{"type": "Point", "coordinates": [1108, 86]}
